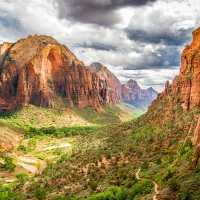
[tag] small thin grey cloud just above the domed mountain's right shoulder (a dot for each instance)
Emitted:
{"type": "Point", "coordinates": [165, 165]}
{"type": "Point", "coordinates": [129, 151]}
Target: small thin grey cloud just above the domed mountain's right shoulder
{"type": "Point", "coordinates": [99, 46]}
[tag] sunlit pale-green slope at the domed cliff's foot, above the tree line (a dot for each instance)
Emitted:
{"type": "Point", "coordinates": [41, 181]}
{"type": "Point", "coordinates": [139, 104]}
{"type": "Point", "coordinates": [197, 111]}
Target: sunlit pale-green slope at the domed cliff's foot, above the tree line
{"type": "Point", "coordinates": [33, 116]}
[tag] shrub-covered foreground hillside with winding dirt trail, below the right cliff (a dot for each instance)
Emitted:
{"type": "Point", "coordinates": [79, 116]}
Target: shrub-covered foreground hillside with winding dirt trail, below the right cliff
{"type": "Point", "coordinates": [103, 163]}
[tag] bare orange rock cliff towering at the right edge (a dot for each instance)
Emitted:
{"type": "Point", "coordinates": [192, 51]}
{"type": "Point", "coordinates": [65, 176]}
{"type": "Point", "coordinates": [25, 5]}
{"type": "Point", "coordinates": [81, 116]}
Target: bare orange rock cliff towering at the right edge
{"type": "Point", "coordinates": [185, 88]}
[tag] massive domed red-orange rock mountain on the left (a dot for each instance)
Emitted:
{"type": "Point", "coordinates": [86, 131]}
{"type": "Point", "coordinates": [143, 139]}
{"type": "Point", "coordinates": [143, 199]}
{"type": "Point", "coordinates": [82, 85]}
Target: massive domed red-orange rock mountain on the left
{"type": "Point", "coordinates": [36, 69]}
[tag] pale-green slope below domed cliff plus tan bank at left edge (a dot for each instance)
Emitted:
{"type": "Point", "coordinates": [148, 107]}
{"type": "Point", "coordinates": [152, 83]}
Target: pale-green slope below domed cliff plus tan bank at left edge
{"type": "Point", "coordinates": [14, 125]}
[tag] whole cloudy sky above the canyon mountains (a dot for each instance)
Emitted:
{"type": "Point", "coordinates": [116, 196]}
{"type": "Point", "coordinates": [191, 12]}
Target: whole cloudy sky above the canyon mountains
{"type": "Point", "coordinates": [138, 39]}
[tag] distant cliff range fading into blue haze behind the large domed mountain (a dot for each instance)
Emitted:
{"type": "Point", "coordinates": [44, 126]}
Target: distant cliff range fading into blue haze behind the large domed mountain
{"type": "Point", "coordinates": [129, 92]}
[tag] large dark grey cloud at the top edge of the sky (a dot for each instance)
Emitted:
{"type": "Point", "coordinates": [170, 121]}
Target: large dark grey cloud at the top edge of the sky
{"type": "Point", "coordinates": [101, 12]}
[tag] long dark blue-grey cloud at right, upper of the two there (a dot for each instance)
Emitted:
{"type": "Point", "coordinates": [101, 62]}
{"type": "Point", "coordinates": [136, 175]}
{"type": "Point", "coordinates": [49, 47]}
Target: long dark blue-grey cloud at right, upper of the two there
{"type": "Point", "coordinates": [181, 37]}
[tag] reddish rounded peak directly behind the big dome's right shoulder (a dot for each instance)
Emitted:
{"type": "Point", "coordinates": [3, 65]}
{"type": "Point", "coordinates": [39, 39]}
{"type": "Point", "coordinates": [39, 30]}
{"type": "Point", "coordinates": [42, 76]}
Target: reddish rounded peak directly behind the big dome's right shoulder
{"type": "Point", "coordinates": [109, 79]}
